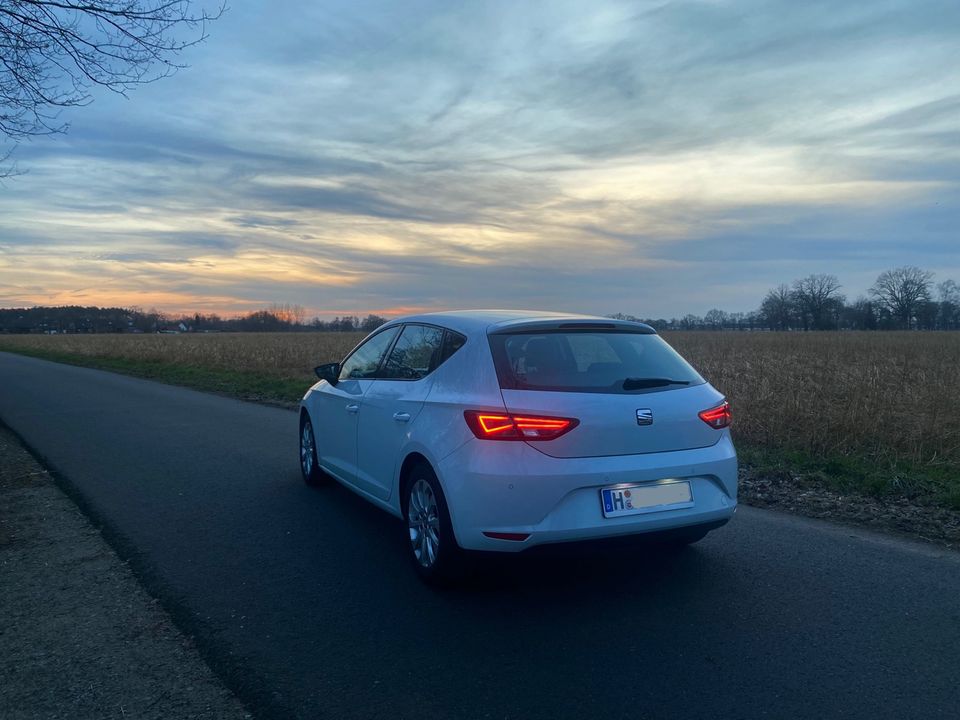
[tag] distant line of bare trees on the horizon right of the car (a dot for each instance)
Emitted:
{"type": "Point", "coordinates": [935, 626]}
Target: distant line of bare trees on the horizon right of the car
{"type": "Point", "coordinates": [901, 299]}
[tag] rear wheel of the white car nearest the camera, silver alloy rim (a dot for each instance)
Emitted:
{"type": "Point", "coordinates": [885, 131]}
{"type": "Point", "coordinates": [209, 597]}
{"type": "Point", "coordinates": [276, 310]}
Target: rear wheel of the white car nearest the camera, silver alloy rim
{"type": "Point", "coordinates": [431, 544]}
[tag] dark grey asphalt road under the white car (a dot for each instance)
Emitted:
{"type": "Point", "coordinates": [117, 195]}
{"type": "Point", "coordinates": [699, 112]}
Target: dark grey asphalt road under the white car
{"type": "Point", "coordinates": [302, 600]}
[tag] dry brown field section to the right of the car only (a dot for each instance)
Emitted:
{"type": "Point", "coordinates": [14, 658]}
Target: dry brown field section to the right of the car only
{"type": "Point", "coordinates": [892, 396]}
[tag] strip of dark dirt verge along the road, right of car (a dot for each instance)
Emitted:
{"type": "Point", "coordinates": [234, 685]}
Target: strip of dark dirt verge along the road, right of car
{"type": "Point", "coordinates": [790, 493]}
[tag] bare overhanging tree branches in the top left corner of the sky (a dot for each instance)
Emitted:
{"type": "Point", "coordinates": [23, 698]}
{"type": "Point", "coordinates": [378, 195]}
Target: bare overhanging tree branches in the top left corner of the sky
{"type": "Point", "coordinates": [54, 52]}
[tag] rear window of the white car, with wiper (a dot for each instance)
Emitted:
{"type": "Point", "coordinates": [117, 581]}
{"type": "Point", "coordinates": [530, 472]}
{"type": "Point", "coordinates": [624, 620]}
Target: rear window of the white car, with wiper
{"type": "Point", "coordinates": [600, 362]}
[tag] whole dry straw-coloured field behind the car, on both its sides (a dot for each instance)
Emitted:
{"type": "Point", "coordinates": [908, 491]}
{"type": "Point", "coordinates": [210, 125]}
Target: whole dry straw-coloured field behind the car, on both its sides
{"type": "Point", "coordinates": [887, 398]}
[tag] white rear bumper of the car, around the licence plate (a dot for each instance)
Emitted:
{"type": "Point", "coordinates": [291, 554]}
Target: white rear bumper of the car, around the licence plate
{"type": "Point", "coordinates": [511, 487]}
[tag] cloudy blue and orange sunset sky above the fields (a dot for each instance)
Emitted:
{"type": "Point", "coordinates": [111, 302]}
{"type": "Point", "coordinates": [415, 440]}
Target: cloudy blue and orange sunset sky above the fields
{"type": "Point", "coordinates": [651, 158]}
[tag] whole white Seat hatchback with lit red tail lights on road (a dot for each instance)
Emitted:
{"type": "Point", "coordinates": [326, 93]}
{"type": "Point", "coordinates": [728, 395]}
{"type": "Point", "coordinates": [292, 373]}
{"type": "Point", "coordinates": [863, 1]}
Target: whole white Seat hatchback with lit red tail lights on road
{"type": "Point", "coordinates": [503, 430]}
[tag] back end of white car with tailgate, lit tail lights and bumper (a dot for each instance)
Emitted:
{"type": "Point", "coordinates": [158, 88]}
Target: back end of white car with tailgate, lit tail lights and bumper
{"type": "Point", "coordinates": [600, 429]}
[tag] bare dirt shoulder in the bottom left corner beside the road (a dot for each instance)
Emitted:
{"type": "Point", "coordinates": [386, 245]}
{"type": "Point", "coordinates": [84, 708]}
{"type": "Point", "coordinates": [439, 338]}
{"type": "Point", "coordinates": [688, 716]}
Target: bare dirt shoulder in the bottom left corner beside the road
{"type": "Point", "coordinates": [80, 638]}
